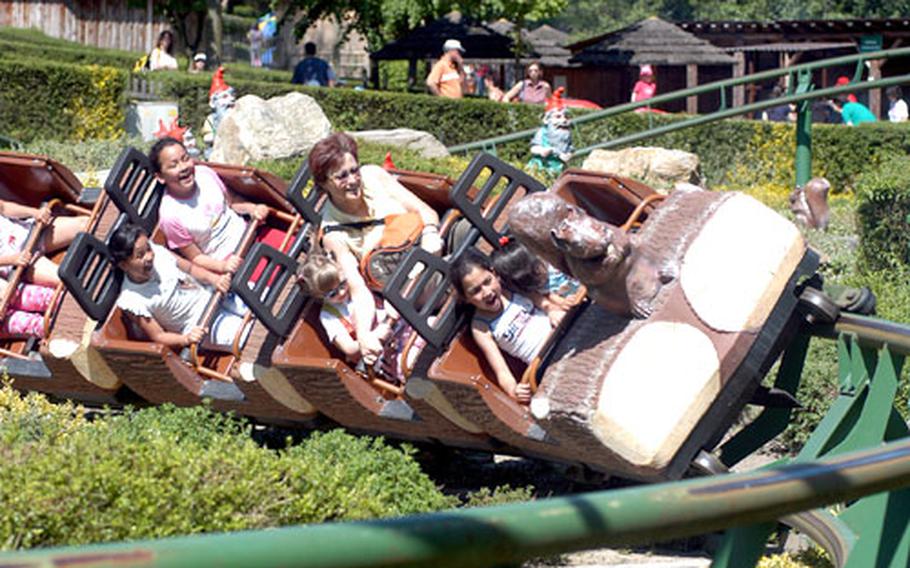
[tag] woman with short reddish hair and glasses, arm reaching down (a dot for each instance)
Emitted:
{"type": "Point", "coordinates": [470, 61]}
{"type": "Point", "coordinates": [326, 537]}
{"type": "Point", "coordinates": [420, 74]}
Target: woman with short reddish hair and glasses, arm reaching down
{"type": "Point", "coordinates": [360, 198]}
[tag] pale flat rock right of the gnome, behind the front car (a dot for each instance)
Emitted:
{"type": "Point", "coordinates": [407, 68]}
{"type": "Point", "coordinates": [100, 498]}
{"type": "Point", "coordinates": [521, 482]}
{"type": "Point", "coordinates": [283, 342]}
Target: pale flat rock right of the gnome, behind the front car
{"type": "Point", "coordinates": [657, 167]}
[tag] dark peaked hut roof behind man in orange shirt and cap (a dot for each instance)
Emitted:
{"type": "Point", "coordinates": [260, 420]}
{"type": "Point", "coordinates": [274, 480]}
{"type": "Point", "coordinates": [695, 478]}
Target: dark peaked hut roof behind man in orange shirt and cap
{"type": "Point", "coordinates": [479, 40]}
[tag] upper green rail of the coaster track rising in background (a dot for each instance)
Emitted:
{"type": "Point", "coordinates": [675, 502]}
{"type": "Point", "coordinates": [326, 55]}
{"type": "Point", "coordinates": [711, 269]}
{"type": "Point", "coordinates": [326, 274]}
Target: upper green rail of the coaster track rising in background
{"type": "Point", "coordinates": [708, 87]}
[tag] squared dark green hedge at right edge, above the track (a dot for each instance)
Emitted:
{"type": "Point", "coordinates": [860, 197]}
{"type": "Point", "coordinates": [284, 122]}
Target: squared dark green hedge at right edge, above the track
{"type": "Point", "coordinates": [883, 209]}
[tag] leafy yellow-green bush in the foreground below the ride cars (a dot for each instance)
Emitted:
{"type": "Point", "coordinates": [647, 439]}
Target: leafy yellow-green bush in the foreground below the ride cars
{"type": "Point", "coordinates": [165, 471]}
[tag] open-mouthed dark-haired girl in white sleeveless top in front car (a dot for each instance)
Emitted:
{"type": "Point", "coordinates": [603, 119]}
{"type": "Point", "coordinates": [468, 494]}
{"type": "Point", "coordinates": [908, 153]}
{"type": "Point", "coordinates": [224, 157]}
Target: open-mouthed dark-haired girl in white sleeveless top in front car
{"type": "Point", "coordinates": [503, 320]}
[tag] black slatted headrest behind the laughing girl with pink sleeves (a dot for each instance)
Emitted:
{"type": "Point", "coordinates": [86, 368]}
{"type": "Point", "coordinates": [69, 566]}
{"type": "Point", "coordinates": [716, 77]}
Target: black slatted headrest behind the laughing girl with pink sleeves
{"type": "Point", "coordinates": [133, 188]}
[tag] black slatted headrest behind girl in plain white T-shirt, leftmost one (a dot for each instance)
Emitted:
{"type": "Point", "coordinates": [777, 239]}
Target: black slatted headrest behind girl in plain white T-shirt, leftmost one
{"type": "Point", "coordinates": [90, 276]}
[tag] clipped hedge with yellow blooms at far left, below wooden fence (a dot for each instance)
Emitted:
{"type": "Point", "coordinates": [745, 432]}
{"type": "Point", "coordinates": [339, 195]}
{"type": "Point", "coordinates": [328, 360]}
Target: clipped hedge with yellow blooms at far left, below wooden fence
{"type": "Point", "coordinates": [60, 101]}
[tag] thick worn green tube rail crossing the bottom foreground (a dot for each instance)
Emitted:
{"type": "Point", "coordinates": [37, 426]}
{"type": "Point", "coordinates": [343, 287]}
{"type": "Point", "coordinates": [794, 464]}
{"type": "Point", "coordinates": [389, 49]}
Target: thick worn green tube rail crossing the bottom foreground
{"type": "Point", "coordinates": [509, 534]}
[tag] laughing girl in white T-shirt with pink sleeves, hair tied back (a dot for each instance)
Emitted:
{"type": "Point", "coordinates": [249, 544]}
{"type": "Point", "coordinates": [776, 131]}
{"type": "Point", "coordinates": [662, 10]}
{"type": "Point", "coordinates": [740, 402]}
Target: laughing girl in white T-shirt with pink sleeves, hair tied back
{"type": "Point", "coordinates": [197, 214]}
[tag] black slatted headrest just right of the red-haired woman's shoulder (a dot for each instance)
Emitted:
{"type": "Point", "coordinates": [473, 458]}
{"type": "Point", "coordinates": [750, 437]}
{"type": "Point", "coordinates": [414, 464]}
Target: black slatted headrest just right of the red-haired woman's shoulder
{"type": "Point", "coordinates": [478, 209]}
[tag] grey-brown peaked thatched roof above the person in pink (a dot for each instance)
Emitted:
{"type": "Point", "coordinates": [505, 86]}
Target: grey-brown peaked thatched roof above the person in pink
{"type": "Point", "coordinates": [651, 41]}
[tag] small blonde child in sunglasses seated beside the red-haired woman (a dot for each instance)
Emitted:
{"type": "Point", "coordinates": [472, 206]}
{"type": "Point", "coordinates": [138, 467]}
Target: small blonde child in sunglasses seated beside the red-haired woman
{"type": "Point", "coordinates": [322, 279]}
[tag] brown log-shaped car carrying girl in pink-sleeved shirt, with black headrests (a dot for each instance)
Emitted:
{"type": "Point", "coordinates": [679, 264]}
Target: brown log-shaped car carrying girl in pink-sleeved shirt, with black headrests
{"type": "Point", "coordinates": [160, 374]}
